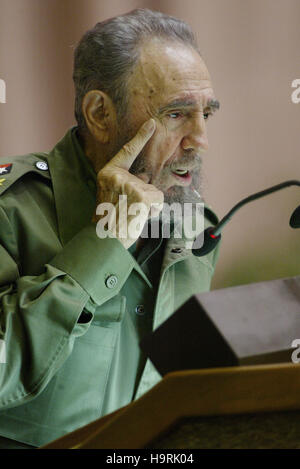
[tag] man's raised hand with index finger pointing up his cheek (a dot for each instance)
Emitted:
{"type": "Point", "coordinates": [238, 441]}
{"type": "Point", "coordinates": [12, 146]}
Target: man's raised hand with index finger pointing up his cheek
{"type": "Point", "coordinates": [114, 180]}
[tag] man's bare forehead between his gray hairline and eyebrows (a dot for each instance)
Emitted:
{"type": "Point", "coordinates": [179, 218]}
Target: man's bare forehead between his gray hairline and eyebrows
{"type": "Point", "coordinates": [157, 79]}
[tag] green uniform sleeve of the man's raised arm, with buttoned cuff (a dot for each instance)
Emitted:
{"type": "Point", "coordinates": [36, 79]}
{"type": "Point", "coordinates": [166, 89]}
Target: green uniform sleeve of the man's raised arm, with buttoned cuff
{"type": "Point", "coordinates": [41, 316]}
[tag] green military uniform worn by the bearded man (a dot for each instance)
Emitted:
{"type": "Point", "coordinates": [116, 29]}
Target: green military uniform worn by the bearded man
{"type": "Point", "coordinates": [73, 307]}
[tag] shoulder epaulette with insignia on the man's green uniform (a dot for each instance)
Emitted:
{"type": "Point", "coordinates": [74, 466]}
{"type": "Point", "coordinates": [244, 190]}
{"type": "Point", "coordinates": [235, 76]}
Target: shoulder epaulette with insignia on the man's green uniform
{"type": "Point", "coordinates": [14, 168]}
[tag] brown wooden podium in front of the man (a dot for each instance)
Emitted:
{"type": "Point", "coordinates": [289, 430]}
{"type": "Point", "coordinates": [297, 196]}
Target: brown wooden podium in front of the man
{"type": "Point", "coordinates": [236, 407]}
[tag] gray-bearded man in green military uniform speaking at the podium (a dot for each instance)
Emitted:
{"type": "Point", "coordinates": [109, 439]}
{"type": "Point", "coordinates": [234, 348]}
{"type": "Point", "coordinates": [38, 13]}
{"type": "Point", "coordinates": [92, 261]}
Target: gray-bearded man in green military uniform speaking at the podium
{"type": "Point", "coordinates": [73, 305]}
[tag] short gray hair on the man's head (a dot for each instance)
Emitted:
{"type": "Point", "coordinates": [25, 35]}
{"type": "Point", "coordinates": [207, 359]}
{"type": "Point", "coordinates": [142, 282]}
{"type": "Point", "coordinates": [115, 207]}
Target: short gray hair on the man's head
{"type": "Point", "coordinates": [107, 54]}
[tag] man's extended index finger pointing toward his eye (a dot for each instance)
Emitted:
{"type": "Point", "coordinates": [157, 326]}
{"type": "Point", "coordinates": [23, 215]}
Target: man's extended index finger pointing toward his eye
{"type": "Point", "coordinates": [126, 156]}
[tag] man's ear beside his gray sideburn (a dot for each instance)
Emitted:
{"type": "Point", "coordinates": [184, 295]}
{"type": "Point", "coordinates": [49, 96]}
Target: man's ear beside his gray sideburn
{"type": "Point", "coordinates": [100, 115]}
